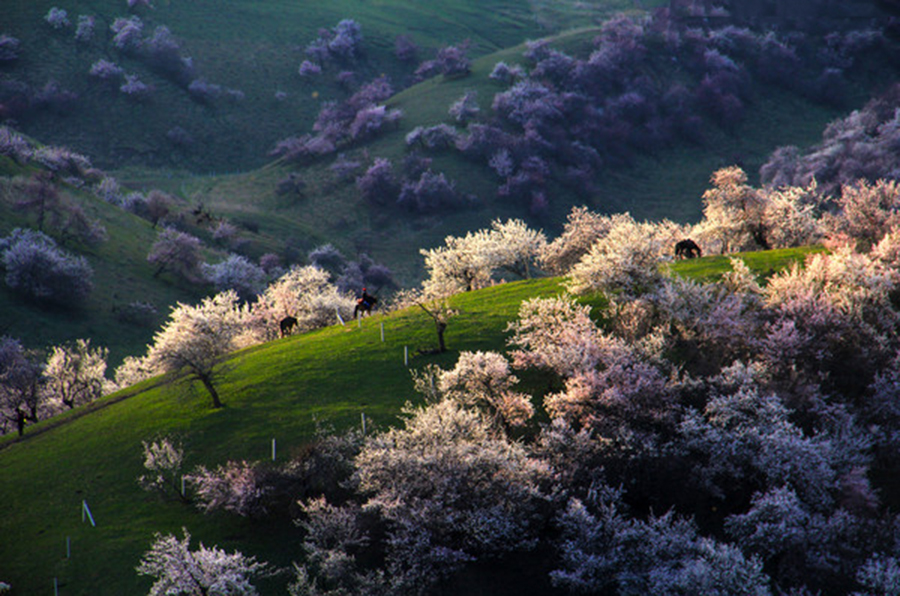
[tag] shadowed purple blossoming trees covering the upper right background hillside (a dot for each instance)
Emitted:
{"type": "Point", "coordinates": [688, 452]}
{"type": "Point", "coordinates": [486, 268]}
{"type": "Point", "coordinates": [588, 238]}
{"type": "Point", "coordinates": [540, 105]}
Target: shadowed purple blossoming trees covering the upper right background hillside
{"type": "Point", "coordinates": [564, 119]}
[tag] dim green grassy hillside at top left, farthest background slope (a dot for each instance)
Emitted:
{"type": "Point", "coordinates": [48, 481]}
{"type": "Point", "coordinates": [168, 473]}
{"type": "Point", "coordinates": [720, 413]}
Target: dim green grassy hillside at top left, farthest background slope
{"type": "Point", "coordinates": [254, 46]}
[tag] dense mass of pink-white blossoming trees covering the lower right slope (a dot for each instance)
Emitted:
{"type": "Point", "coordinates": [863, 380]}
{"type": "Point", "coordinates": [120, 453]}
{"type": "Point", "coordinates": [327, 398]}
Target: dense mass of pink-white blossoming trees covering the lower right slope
{"type": "Point", "coordinates": [726, 437]}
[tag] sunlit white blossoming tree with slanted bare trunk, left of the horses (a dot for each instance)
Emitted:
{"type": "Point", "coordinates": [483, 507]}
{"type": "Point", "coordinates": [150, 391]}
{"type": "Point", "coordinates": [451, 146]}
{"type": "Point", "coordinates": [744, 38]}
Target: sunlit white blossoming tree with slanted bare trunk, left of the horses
{"type": "Point", "coordinates": [196, 338]}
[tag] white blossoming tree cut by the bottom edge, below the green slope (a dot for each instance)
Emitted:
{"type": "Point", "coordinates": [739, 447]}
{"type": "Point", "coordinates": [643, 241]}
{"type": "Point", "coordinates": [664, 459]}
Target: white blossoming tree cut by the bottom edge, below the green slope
{"type": "Point", "coordinates": [180, 571]}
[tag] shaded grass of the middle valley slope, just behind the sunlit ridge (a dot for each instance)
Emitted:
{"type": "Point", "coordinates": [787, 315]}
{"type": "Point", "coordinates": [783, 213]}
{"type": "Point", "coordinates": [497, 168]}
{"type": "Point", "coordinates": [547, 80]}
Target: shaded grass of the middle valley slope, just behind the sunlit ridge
{"type": "Point", "coordinates": [668, 184]}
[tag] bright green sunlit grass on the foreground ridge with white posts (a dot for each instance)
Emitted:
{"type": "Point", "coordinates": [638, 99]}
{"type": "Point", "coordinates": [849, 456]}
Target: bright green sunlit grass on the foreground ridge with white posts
{"type": "Point", "coordinates": [279, 390]}
